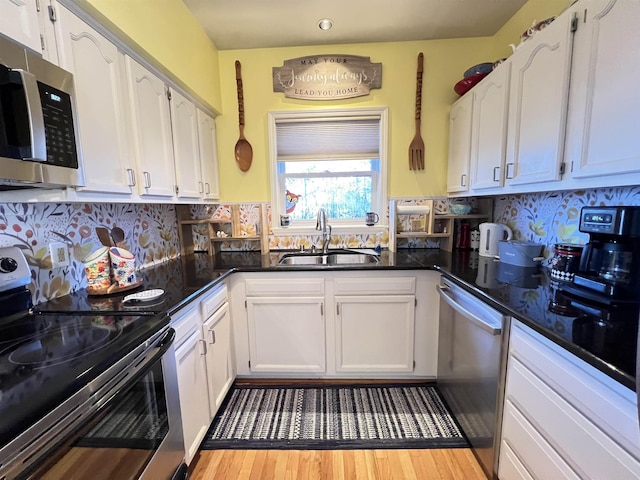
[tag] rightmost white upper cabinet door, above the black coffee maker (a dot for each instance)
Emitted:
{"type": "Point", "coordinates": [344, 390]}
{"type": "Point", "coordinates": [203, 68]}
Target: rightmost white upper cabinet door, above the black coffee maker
{"type": "Point", "coordinates": [605, 100]}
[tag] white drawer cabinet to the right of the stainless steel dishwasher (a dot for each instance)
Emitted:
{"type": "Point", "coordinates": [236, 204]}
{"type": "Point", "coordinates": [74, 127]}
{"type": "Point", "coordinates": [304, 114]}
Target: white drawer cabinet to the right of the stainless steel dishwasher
{"type": "Point", "coordinates": [563, 418]}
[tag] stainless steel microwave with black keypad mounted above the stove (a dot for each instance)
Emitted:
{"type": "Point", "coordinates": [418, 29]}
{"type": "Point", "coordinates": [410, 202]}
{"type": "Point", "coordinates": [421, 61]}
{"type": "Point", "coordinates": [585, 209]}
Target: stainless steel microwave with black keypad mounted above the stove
{"type": "Point", "coordinates": [37, 129]}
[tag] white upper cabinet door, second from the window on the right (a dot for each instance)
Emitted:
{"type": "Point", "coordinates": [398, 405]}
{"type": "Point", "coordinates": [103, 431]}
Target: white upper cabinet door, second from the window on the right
{"type": "Point", "coordinates": [489, 129]}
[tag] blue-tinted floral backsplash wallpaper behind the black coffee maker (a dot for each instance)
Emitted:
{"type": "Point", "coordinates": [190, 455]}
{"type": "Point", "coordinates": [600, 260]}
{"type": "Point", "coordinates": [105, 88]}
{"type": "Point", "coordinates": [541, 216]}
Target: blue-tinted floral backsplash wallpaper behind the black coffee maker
{"type": "Point", "coordinates": [554, 217]}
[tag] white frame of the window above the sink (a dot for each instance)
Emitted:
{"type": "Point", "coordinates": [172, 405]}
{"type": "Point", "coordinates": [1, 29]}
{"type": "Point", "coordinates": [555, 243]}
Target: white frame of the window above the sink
{"type": "Point", "coordinates": [379, 190]}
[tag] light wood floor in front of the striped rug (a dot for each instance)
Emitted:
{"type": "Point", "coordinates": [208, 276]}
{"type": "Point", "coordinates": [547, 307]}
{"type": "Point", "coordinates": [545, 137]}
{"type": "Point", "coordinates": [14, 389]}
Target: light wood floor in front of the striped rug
{"type": "Point", "coordinates": [441, 464]}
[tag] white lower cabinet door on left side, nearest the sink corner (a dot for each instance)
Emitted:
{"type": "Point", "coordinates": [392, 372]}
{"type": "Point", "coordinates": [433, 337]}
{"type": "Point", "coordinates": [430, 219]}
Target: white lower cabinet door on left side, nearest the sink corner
{"type": "Point", "coordinates": [220, 363]}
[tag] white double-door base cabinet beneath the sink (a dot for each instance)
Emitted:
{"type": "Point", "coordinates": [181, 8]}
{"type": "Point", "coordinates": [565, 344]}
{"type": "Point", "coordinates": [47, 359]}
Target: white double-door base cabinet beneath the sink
{"type": "Point", "coordinates": [335, 324]}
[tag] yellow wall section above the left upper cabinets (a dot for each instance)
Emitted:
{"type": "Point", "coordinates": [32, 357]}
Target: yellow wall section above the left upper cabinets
{"type": "Point", "coordinates": [167, 31]}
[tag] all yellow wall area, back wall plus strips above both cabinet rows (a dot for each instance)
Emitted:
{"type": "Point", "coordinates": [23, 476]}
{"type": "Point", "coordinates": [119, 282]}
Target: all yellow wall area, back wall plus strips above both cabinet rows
{"type": "Point", "coordinates": [168, 32]}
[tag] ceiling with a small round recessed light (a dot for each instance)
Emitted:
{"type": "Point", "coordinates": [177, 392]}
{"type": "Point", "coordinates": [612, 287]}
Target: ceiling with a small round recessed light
{"type": "Point", "coordinates": [240, 24]}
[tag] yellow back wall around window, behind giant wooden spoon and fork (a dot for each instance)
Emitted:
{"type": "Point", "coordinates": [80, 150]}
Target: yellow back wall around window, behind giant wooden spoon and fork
{"type": "Point", "coordinates": [444, 63]}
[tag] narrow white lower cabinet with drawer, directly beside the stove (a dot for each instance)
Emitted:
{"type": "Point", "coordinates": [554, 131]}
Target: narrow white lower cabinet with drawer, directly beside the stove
{"type": "Point", "coordinates": [192, 378]}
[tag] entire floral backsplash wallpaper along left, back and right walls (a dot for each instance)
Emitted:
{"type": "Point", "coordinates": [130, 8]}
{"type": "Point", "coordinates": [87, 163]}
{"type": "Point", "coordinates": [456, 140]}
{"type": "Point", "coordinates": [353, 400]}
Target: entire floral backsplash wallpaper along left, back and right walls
{"type": "Point", "coordinates": [151, 233]}
